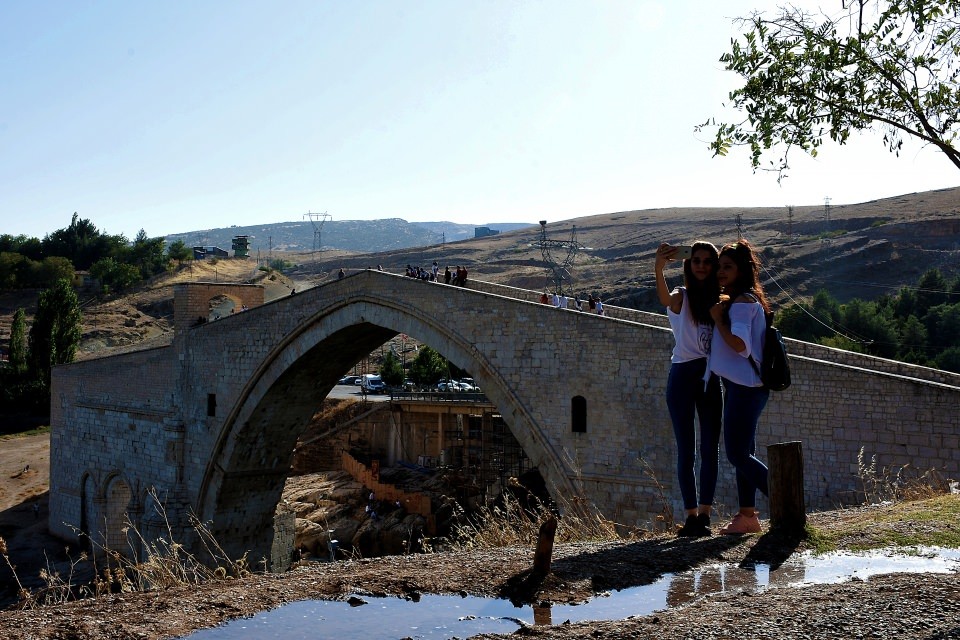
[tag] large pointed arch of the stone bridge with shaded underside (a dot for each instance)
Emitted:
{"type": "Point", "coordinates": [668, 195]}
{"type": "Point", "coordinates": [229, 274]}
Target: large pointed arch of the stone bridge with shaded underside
{"type": "Point", "coordinates": [250, 461]}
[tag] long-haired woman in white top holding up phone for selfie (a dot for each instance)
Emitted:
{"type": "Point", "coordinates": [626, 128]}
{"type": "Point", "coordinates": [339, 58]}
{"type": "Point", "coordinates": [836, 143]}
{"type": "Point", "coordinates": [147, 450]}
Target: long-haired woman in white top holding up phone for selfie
{"type": "Point", "coordinates": [691, 387]}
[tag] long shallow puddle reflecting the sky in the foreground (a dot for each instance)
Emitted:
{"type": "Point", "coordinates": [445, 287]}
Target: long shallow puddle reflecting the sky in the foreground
{"type": "Point", "coordinates": [443, 617]}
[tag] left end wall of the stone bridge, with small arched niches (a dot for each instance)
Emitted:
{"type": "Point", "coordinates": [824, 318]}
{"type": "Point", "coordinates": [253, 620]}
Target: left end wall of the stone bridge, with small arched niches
{"type": "Point", "coordinates": [111, 417]}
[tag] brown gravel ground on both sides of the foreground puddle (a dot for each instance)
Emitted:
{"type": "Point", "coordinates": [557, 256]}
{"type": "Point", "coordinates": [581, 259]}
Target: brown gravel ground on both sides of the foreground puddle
{"type": "Point", "coordinates": [891, 606]}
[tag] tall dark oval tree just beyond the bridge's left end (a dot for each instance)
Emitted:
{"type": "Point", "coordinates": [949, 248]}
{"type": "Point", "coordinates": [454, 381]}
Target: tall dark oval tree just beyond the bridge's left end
{"type": "Point", "coordinates": [55, 334]}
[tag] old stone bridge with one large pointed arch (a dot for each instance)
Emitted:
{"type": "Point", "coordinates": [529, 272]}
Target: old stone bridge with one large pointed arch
{"type": "Point", "coordinates": [207, 425]}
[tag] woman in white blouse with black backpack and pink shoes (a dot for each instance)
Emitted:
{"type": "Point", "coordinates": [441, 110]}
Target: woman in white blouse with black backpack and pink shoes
{"type": "Point", "coordinates": [739, 328]}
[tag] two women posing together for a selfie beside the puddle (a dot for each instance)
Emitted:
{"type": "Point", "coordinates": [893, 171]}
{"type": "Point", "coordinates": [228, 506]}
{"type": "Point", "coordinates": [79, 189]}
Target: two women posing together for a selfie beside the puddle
{"type": "Point", "coordinates": [718, 321]}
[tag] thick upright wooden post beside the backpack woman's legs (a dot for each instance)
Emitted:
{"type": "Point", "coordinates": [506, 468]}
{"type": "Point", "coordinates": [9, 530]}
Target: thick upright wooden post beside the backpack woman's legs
{"type": "Point", "coordinates": [787, 509]}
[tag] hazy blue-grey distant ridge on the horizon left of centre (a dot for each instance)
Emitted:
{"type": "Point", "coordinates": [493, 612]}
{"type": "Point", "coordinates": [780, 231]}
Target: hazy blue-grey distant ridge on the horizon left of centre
{"type": "Point", "coordinates": [362, 236]}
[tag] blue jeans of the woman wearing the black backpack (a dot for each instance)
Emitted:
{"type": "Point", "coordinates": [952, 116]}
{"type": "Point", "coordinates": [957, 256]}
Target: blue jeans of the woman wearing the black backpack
{"type": "Point", "coordinates": [742, 407]}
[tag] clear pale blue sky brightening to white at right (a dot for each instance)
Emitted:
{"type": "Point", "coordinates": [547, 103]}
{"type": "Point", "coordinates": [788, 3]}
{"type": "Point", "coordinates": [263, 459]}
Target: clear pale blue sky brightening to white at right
{"type": "Point", "coordinates": [179, 116]}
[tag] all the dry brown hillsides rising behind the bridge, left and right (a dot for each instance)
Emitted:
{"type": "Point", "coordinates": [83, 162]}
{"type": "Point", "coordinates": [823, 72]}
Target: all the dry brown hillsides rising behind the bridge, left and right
{"type": "Point", "coordinates": [863, 250]}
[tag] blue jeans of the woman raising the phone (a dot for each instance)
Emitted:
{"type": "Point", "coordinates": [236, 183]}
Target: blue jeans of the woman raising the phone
{"type": "Point", "coordinates": [686, 394]}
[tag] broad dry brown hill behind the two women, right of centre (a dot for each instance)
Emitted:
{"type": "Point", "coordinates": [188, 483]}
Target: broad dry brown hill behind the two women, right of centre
{"type": "Point", "coordinates": [862, 250]}
